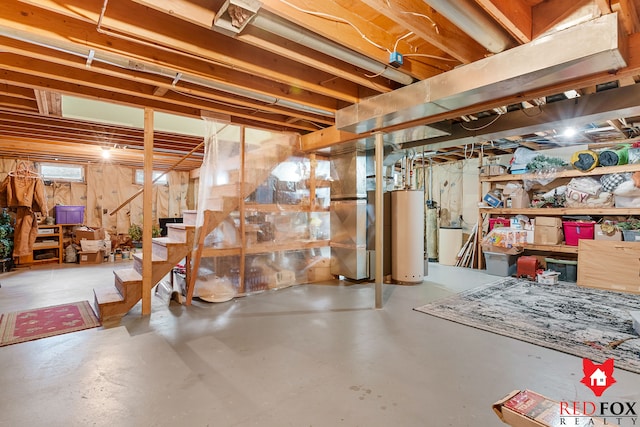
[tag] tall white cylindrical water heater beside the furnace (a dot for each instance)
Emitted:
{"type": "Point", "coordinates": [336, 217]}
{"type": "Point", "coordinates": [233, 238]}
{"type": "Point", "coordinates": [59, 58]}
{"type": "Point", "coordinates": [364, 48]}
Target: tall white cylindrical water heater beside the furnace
{"type": "Point", "coordinates": [407, 236]}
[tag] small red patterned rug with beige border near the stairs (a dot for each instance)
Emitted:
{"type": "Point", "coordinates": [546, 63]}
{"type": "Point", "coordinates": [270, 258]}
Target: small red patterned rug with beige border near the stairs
{"type": "Point", "coordinates": [28, 325]}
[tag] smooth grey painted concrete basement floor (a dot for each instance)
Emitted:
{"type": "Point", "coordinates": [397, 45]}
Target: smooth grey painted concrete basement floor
{"type": "Point", "coordinates": [309, 355]}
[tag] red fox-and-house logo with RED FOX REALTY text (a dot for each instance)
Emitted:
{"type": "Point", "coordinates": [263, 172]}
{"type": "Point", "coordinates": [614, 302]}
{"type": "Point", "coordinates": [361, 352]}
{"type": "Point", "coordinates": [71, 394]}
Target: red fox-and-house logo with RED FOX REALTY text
{"type": "Point", "coordinates": [598, 378]}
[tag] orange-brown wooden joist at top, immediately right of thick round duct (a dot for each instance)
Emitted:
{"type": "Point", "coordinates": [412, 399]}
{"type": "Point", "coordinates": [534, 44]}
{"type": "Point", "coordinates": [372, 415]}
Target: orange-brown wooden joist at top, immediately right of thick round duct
{"type": "Point", "coordinates": [514, 15]}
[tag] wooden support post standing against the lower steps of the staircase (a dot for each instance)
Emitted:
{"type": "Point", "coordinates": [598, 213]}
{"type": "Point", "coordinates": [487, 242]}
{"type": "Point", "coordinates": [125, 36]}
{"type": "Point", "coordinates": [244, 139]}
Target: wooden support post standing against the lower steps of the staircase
{"type": "Point", "coordinates": [147, 213]}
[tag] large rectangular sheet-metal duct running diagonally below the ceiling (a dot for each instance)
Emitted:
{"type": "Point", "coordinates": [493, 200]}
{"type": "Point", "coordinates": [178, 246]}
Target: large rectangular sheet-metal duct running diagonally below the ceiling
{"type": "Point", "coordinates": [585, 49]}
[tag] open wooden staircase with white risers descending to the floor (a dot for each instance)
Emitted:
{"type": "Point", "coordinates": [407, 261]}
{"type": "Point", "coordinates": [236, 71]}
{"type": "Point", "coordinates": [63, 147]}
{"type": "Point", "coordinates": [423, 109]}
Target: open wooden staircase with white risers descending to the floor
{"type": "Point", "coordinates": [114, 302]}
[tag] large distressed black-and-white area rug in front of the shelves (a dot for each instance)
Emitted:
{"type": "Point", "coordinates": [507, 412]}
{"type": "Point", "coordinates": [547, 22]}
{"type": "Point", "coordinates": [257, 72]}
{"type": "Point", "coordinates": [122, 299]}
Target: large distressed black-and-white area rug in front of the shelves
{"type": "Point", "coordinates": [587, 323]}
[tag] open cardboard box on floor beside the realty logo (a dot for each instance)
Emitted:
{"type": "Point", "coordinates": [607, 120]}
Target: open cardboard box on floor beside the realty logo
{"type": "Point", "coordinates": [525, 408]}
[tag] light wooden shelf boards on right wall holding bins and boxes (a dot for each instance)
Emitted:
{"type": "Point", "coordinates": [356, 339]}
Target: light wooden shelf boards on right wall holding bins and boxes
{"type": "Point", "coordinates": [561, 177]}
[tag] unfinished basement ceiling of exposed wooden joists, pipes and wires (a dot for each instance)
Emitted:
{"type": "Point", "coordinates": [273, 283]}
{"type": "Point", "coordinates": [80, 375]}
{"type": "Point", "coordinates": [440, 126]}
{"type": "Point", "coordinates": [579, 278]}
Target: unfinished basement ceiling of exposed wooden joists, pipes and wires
{"type": "Point", "coordinates": [288, 65]}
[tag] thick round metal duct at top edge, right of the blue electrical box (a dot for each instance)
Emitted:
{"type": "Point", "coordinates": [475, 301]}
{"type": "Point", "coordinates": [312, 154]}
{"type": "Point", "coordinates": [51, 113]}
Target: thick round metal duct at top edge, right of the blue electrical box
{"type": "Point", "coordinates": [470, 19]}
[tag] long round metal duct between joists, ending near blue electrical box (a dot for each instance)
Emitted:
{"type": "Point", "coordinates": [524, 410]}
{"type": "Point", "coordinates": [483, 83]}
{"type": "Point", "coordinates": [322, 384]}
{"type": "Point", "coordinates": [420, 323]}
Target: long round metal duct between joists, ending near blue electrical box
{"type": "Point", "coordinates": [309, 39]}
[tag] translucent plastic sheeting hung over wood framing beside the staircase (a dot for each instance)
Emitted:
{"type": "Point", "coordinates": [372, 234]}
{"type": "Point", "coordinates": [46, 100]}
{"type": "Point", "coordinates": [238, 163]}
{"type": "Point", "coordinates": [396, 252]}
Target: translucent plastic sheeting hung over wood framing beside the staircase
{"type": "Point", "coordinates": [277, 222]}
